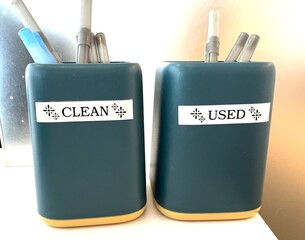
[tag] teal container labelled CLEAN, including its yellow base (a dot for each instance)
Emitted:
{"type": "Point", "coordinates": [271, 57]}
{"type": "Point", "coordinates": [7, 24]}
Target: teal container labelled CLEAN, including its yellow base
{"type": "Point", "coordinates": [87, 132]}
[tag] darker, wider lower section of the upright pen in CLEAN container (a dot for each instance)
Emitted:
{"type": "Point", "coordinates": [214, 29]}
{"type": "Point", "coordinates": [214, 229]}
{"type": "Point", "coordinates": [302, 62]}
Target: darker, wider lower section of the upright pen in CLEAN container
{"type": "Point", "coordinates": [83, 43]}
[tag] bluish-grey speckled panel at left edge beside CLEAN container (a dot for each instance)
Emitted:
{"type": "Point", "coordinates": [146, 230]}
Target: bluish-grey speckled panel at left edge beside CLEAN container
{"type": "Point", "coordinates": [13, 107]}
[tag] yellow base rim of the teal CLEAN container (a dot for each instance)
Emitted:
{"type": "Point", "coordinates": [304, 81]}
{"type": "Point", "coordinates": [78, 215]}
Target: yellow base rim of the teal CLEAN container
{"type": "Point", "coordinates": [93, 221]}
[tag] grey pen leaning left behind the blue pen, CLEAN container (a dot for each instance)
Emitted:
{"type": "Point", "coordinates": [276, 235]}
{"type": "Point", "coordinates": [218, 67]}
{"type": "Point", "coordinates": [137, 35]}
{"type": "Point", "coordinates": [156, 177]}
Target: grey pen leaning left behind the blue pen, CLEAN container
{"type": "Point", "coordinates": [29, 22]}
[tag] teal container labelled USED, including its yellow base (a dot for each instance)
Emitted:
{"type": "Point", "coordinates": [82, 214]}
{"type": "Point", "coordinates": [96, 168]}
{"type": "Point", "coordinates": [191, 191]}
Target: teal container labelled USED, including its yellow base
{"type": "Point", "coordinates": [210, 138]}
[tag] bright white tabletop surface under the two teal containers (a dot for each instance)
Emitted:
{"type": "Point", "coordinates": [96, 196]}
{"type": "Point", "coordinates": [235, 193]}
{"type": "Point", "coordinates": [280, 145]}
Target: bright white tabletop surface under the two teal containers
{"type": "Point", "coordinates": [20, 220]}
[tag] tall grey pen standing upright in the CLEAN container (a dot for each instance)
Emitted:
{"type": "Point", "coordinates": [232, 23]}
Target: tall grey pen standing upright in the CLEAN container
{"type": "Point", "coordinates": [84, 35]}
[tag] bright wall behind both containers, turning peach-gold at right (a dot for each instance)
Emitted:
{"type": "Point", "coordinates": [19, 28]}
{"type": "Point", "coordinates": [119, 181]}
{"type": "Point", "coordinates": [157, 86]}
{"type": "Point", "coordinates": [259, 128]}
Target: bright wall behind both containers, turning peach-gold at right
{"type": "Point", "coordinates": [151, 31]}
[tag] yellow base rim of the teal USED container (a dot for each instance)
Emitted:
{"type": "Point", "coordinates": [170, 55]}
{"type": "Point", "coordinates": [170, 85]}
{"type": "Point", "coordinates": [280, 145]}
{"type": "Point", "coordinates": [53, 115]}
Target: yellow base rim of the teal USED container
{"type": "Point", "coordinates": [206, 216]}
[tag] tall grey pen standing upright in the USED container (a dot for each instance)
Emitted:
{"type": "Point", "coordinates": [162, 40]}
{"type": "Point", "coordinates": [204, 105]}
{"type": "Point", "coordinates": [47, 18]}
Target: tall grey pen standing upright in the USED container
{"type": "Point", "coordinates": [212, 45]}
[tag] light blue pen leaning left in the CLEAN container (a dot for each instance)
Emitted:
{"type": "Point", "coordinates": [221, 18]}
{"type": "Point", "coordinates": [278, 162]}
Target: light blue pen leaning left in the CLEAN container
{"type": "Point", "coordinates": [36, 46]}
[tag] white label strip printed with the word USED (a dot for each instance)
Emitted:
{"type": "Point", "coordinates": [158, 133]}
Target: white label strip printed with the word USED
{"type": "Point", "coordinates": [223, 114]}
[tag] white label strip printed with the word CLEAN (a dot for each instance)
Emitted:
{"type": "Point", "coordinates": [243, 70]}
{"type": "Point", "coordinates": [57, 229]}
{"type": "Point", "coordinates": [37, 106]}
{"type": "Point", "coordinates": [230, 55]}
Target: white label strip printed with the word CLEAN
{"type": "Point", "coordinates": [84, 111]}
